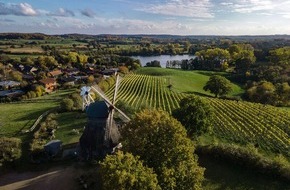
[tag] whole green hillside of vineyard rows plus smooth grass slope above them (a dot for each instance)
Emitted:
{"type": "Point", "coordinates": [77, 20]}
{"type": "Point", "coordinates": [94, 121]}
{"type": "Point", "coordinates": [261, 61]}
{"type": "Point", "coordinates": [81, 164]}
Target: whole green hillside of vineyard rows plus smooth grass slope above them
{"type": "Point", "coordinates": [266, 127]}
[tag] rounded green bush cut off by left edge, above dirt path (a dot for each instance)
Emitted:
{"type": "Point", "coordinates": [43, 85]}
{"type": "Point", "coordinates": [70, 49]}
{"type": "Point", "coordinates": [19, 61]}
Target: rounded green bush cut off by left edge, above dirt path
{"type": "Point", "coordinates": [10, 149]}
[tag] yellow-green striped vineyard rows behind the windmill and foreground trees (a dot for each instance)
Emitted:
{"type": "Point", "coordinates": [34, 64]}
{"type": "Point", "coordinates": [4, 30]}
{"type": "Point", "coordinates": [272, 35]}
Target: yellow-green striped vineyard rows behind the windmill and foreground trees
{"type": "Point", "coordinates": [266, 127]}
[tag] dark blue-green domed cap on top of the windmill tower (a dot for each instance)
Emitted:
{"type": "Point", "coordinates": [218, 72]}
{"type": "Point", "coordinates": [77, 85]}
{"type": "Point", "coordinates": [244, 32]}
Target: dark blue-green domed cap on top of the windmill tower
{"type": "Point", "coordinates": [98, 109]}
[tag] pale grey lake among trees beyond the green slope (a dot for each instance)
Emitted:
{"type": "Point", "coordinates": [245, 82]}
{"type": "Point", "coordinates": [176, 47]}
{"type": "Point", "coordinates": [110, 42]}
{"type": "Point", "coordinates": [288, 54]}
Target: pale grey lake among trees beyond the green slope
{"type": "Point", "coordinates": [162, 58]}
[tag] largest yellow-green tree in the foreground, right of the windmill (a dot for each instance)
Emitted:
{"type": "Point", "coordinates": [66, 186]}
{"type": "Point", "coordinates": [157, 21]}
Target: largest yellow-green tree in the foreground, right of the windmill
{"type": "Point", "coordinates": [161, 142]}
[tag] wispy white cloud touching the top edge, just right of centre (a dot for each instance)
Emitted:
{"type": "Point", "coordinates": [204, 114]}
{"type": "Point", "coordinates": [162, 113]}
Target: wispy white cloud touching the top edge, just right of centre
{"type": "Point", "coordinates": [183, 8]}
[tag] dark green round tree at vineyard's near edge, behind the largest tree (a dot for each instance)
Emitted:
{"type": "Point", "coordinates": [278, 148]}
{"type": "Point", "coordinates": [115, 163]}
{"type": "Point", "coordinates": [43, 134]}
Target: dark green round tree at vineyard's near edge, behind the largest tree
{"type": "Point", "coordinates": [194, 114]}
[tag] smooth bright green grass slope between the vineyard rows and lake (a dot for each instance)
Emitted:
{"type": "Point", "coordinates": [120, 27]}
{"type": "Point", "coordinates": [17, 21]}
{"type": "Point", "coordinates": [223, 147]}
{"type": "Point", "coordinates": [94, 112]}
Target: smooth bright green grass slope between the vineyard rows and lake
{"type": "Point", "coordinates": [186, 81]}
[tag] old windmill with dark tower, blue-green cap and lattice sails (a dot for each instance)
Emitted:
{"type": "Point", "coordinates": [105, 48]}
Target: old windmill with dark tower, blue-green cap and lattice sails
{"type": "Point", "coordinates": [101, 135]}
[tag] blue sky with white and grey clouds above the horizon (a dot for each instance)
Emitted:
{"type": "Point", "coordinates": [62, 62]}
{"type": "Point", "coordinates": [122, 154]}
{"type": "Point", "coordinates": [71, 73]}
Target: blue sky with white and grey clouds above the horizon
{"type": "Point", "coordinates": [176, 17]}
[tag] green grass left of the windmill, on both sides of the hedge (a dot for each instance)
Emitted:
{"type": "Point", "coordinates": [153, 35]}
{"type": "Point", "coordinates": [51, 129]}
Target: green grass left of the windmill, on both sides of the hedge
{"type": "Point", "coordinates": [20, 116]}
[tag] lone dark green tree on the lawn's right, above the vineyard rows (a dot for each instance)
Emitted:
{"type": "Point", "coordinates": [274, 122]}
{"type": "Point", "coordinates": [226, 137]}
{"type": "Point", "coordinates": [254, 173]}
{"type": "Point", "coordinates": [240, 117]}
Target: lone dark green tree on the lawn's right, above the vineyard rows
{"type": "Point", "coordinates": [218, 85]}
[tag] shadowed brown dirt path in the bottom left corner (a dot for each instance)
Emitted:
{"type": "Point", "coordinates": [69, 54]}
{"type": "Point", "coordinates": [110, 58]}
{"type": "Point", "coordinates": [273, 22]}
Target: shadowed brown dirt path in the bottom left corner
{"type": "Point", "coordinates": [54, 179]}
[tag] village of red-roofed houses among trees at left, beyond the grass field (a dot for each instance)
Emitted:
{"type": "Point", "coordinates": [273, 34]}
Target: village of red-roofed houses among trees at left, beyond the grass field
{"type": "Point", "coordinates": [13, 88]}
